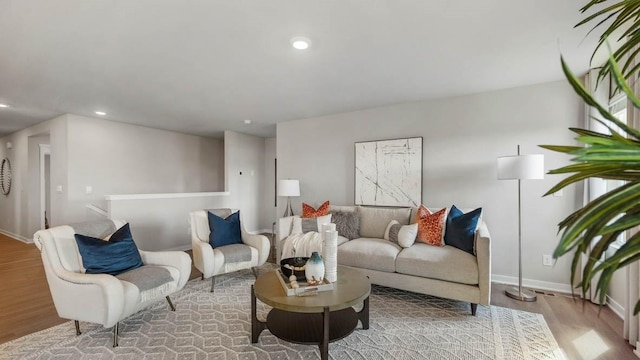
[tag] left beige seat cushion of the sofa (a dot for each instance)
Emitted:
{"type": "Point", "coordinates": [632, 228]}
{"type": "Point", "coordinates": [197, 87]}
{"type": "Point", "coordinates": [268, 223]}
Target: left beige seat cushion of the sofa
{"type": "Point", "coordinates": [369, 253]}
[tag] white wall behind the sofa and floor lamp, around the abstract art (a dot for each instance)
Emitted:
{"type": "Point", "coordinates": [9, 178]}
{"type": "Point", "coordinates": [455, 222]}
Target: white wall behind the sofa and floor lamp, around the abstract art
{"type": "Point", "coordinates": [463, 136]}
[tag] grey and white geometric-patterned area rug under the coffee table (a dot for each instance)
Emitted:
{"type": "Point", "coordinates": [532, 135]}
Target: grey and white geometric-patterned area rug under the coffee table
{"type": "Point", "coordinates": [403, 325]}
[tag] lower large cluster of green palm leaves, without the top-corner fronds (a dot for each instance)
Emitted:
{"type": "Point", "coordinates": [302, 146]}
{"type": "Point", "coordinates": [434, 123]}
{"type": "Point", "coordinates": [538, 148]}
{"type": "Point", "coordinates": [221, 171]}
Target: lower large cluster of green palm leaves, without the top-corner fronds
{"type": "Point", "coordinates": [614, 156]}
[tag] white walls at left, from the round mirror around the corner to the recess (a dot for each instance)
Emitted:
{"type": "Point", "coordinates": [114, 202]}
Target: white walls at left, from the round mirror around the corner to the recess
{"type": "Point", "coordinates": [112, 158]}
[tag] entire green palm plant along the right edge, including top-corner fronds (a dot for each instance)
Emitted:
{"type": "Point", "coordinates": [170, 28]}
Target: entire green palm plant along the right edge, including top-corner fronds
{"type": "Point", "coordinates": [612, 156]}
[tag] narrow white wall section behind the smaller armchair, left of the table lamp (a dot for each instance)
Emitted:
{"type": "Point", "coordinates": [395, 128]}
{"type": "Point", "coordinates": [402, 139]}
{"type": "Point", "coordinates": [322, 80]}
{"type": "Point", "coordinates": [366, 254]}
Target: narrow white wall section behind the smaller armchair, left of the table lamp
{"type": "Point", "coordinates": [245, 174]}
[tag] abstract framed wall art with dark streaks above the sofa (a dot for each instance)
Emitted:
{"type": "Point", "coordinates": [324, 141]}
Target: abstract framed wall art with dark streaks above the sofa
{"type": "Point", "coordinates": [389, 172]}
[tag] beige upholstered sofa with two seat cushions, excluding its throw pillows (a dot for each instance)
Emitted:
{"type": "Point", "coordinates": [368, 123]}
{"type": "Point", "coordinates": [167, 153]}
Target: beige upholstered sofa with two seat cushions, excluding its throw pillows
{"type": "Point", "coordinates": [439, 271]}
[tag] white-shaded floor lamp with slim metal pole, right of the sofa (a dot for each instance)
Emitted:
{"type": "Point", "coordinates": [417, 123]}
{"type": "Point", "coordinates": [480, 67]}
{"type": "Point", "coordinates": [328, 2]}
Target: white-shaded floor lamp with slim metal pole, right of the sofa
{"type": "Point", "coordinates": [520, 167]}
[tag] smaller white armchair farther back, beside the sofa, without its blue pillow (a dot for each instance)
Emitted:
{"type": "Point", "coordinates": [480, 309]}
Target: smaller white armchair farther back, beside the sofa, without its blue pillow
{"type": "Point", "coordinates": [211, 261]}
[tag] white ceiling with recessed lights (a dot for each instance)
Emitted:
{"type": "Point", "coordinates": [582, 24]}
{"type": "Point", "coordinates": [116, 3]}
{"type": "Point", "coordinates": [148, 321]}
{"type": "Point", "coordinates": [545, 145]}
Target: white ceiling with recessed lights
{"type": "Point", "coordinates": [202, 67]}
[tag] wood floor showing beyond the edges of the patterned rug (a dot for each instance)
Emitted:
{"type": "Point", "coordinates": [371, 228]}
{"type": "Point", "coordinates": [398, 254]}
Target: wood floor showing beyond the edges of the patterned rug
{"type": "Point", "coordinates": [582, 333]}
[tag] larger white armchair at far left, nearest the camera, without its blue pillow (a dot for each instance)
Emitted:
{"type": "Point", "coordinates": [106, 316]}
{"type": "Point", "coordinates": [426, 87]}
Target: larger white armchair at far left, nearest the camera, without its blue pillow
{"type": "Point", "coordinates": [101, 298]}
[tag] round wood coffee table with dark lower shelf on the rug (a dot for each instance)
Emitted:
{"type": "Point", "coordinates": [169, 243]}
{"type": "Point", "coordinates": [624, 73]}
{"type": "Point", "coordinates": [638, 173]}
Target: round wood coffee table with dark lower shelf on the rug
{"type": "Point", "coordinates": [312, 320]}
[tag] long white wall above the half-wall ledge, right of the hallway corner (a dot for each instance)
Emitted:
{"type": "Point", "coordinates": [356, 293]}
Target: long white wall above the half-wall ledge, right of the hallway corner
{"type": "Point", "coordinates": [116, 158]}
